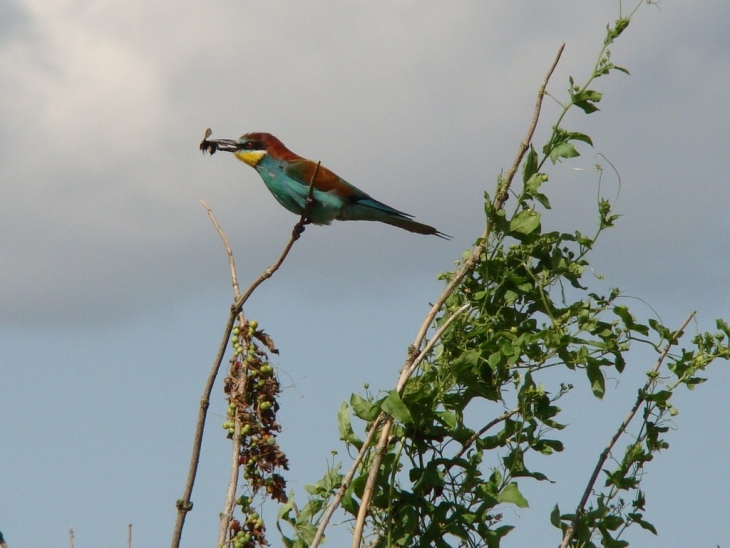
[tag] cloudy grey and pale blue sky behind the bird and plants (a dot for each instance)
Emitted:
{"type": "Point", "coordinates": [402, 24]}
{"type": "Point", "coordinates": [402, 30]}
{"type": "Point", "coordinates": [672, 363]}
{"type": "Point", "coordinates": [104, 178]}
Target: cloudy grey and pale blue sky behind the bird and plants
{"type": "Point", "coordinates": [115, 288]}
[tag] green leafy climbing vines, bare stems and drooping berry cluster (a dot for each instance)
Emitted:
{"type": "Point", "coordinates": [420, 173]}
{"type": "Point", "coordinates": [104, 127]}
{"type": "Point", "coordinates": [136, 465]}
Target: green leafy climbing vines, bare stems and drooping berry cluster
{"type": "Point", "coordinates": [517, 317]}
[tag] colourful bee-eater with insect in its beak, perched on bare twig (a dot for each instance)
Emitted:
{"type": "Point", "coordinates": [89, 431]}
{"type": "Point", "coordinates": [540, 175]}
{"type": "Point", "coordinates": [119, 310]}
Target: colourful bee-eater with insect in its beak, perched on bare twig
{"type": "Point", "coordinates": [288, 176]}
